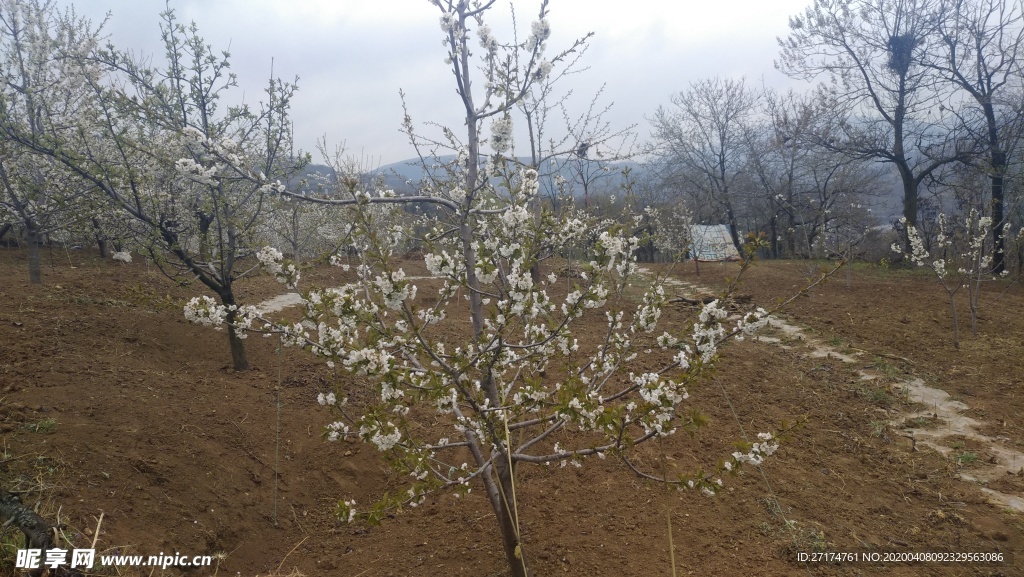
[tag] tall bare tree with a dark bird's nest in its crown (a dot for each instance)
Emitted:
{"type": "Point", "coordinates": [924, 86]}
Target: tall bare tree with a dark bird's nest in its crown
{"type": "Point", "coordinates": [887, 104]}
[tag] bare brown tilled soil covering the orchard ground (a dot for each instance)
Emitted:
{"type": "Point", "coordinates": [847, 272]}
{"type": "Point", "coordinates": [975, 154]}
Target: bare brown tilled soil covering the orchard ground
{"type": "Point", "coordinates": [112, 403]}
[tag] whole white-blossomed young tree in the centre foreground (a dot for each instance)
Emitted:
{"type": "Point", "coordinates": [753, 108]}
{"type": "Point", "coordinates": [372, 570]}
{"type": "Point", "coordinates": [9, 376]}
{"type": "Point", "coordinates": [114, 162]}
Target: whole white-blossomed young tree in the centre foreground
{"type": "Point", "coordinates": [519, 380]}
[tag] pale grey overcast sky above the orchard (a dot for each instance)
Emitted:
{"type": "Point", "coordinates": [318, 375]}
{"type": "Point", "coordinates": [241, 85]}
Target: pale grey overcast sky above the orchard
{"type": "Point", "coordinates": [353, 57]}
